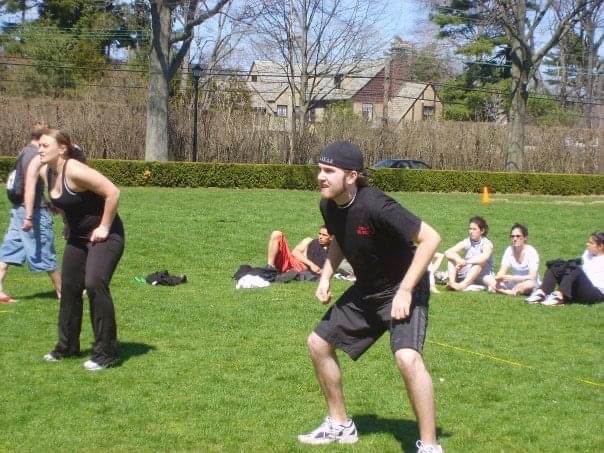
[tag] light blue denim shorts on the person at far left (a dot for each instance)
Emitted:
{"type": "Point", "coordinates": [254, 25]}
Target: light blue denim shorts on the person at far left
{"type": "Point", "coordinates": [36, 246]}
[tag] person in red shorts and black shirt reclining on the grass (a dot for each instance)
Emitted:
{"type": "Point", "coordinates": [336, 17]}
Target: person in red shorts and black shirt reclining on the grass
{"type": "Point", "coordinates": [308, 255]}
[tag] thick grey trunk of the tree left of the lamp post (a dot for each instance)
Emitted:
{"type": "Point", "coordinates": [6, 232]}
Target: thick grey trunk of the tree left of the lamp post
{"type": "Point", "coordinates": [156, 138]}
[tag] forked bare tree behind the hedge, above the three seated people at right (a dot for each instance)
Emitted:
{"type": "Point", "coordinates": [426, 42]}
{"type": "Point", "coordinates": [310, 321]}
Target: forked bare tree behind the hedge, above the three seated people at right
{"type": "Point", "coordinates": [520, 19]}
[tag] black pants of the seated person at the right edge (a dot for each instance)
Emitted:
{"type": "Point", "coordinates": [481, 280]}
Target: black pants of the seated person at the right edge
{"type": "Point", "coordinates": [573, 283]}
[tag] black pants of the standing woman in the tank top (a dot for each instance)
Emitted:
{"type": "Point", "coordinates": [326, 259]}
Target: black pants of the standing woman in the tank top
{"type": "Point", "coordinates": [89, 266]}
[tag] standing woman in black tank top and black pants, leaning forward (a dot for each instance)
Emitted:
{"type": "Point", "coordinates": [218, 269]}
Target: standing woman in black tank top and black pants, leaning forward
{"type": "Point", "coordinates": [95, 243]}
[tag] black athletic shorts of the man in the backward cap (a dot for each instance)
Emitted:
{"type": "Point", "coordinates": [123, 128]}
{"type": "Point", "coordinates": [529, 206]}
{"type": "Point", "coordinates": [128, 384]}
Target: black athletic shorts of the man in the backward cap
{"type": "Point", "coordinates": [356, 321]}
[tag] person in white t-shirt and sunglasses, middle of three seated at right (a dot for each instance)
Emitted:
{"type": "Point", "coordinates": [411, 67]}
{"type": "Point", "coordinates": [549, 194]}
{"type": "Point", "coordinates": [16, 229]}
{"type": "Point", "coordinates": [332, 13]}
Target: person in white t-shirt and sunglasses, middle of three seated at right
{"type": "Point", "coordinates": [523, 261]}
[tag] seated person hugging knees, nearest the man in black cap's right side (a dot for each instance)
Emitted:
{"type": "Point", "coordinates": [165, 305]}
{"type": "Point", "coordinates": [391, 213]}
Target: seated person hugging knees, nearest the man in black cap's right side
{"type": "Point", "coordinates": [467, 272]}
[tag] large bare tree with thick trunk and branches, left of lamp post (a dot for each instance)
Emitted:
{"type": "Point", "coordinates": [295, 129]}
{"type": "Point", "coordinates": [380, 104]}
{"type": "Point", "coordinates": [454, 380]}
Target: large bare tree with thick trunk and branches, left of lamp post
{"type": "Point", "coordinates": [165, 60]}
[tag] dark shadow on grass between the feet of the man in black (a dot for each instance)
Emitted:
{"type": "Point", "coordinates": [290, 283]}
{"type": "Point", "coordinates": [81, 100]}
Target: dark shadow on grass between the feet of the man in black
{"type": "Point", "coordinates": [404, 431]}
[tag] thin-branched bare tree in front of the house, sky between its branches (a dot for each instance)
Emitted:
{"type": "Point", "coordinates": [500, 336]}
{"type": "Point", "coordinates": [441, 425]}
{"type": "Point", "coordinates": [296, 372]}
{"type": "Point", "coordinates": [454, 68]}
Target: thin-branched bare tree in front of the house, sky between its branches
{"type": "Point", "coordinates": [312, 40]}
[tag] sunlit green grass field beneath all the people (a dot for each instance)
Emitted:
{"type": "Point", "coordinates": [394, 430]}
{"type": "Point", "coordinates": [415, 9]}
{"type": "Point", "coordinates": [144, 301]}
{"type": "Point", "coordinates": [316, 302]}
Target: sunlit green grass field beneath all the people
{"type": "Point", "coordinates": [210, 368]}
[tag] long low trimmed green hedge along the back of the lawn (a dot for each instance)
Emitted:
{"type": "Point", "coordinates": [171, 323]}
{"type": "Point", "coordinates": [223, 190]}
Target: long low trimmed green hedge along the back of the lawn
{"type": "Point", "coordinates": [301, 177]}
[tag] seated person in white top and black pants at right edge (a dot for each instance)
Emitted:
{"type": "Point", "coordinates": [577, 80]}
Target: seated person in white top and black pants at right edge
{"type": "Point", "coordinates": [578, 280]}
